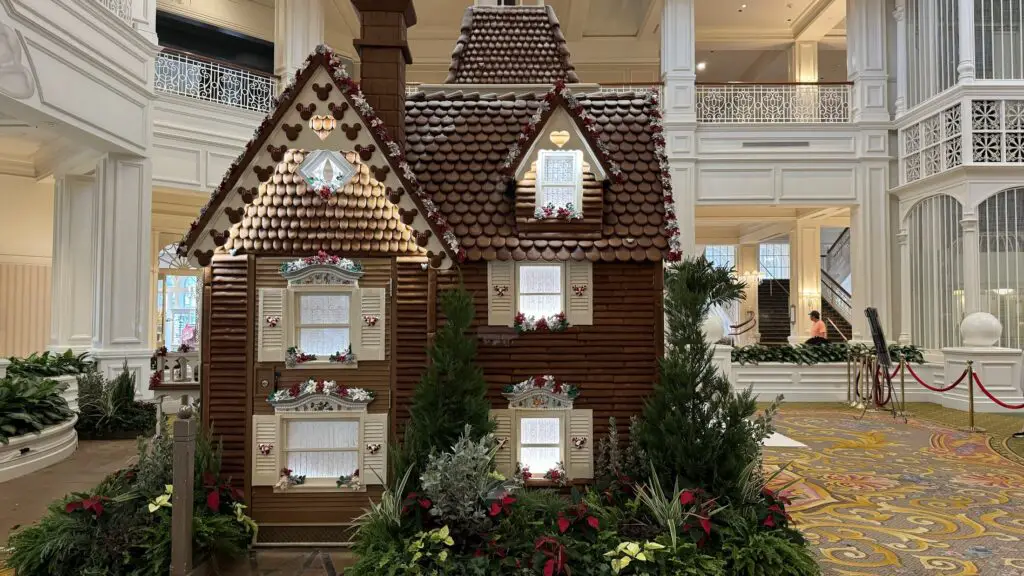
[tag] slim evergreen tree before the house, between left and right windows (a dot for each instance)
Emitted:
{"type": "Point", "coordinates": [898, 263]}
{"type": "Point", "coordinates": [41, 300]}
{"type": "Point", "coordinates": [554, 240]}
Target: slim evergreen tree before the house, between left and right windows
{"type": "Point", "coordinates": [452, 393]}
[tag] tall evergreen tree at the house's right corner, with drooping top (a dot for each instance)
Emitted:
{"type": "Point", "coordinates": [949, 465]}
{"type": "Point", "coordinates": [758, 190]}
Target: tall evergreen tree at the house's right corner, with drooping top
{"type": "Point", "coordinates": [695, 428]}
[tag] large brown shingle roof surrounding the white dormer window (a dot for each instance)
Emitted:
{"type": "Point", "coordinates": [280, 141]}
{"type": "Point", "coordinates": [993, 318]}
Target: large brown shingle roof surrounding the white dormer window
{"type": "Point", "coordinates": [457, 144]}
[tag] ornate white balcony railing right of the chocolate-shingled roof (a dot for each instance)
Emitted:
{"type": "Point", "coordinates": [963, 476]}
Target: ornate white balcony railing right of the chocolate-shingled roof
{"type": "Point", "coordinates": [763, 104]}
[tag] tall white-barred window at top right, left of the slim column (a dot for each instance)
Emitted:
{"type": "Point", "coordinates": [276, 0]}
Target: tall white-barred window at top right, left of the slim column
{"type": "Point", "coordinates": [933, 49]}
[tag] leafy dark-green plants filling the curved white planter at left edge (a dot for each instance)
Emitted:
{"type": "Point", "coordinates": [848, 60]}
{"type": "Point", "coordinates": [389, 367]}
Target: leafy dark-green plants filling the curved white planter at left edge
{"type": "Point", "coordinates": [28, 405]}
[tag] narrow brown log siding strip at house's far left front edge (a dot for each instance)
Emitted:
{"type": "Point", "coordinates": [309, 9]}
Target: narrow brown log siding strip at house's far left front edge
{"type": "Point", "coordinates": [226, 390]}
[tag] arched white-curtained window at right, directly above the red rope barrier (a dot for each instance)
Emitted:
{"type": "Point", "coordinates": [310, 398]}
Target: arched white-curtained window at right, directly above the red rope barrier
{"type": "Point", "coordinates": [936, 244]}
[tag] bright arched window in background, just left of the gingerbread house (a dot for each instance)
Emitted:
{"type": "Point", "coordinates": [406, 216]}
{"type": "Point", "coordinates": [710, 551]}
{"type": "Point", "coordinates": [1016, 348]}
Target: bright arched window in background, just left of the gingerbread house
{"type": "Point", "coordinates": [178, 301]}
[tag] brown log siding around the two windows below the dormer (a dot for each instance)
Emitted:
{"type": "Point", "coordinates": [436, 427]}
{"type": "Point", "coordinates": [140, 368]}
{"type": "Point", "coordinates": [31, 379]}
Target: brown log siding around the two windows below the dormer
{"type": "Point", "coordinates": [614, 362]}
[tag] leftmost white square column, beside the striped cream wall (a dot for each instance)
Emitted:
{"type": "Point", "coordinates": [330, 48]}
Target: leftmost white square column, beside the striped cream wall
{"type": "Point", "coordinates": [75, 253]}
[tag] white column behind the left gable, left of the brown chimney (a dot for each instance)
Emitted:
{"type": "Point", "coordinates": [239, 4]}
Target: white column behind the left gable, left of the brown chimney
{"type": "Point", "coordinates": [298, 30]}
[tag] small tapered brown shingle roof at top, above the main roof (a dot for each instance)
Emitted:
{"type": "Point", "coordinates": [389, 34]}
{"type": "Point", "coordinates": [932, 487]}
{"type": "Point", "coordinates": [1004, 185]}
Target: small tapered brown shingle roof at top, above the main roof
{"type": "Point", "coordinates": [510, 46]}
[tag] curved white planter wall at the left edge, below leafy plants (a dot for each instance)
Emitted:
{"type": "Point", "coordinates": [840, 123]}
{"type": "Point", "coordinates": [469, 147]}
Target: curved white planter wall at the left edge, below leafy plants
{"type": "Point", "coordinates": [26, 455]}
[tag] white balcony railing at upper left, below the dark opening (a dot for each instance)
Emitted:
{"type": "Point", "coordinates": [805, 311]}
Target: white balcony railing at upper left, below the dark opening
{"type": "Point", "coordinates": [196, 77]}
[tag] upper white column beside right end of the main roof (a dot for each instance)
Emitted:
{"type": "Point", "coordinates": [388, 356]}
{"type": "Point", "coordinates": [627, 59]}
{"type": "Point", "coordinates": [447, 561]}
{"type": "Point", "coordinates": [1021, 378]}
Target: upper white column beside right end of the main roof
{"type": "Point", "coordinates": [678, 67]}
